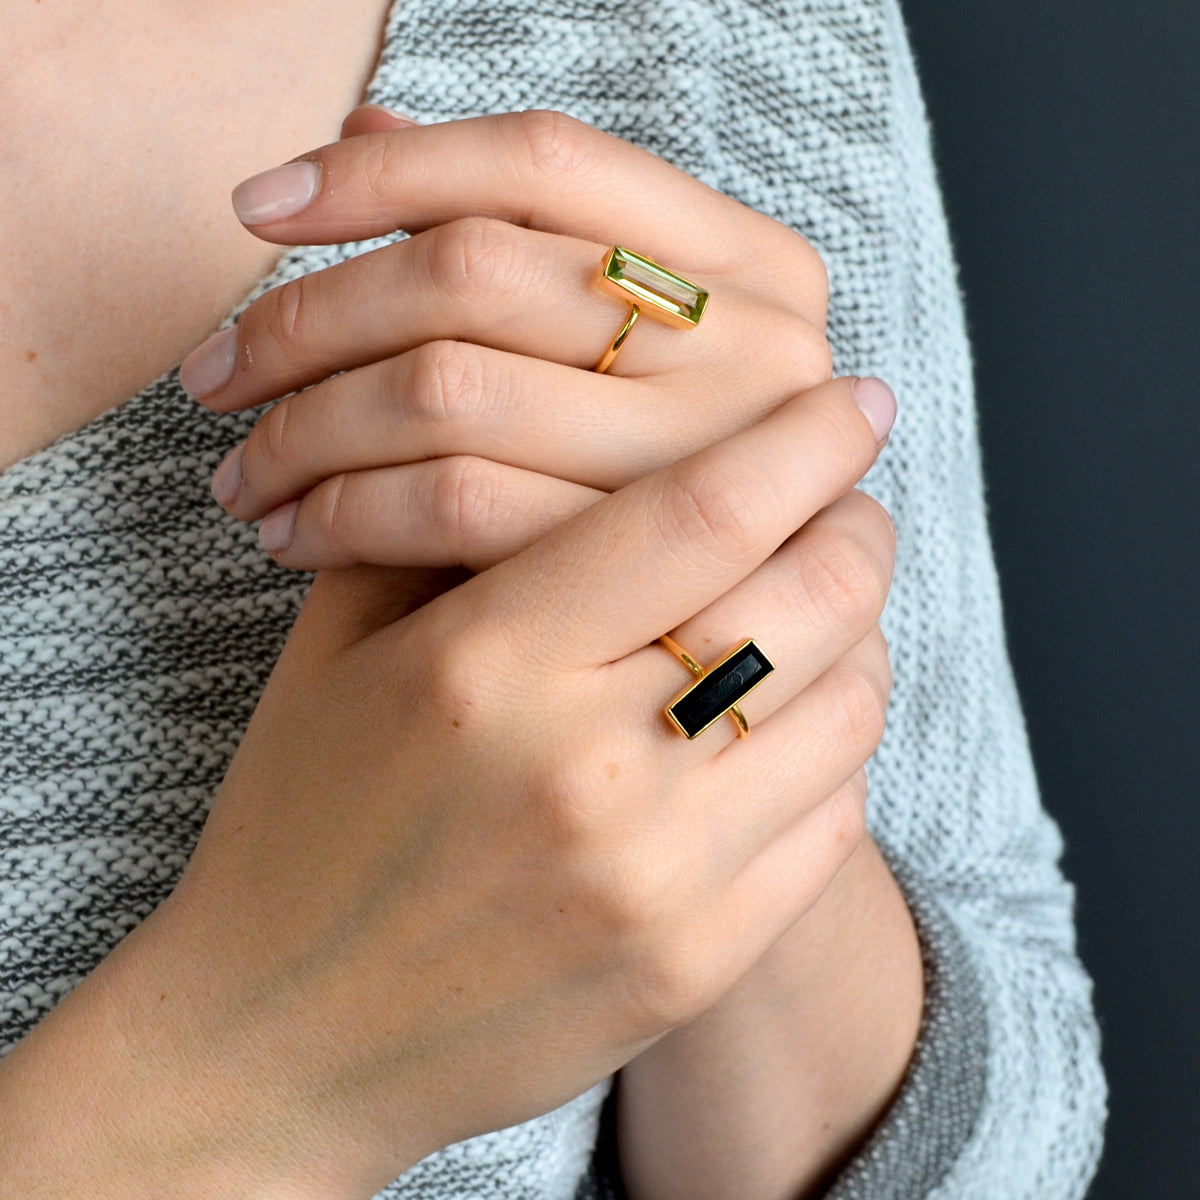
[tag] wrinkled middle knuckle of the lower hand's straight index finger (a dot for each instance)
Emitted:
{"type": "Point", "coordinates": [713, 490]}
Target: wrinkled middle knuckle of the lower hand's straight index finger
{"type": "Point", "coordinates": [711, 511]}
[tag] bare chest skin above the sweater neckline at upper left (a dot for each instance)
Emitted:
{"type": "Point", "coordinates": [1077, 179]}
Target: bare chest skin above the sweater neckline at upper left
{"type": "Point", "coordinates": [75, 278]}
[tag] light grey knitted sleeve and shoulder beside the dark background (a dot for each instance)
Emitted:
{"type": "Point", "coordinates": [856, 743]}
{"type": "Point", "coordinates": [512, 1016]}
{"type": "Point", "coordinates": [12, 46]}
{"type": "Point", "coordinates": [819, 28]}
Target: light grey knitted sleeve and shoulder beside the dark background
{"type": "Point", "coordinates": [811, 112]}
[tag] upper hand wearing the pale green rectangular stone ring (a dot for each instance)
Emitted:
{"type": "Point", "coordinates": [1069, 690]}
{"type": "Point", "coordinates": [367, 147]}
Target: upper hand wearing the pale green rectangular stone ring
{"type": "Point", "coordinates": [469, 422]}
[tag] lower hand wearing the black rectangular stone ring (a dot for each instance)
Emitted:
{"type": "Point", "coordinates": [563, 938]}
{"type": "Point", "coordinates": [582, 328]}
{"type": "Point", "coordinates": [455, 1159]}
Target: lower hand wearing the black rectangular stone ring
{"type": "Point", "coordinates": [461, 868]}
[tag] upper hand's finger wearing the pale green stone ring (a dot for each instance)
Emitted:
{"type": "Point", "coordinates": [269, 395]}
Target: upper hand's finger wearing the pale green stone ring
{"type": "Point", "coordinates": [476, 281]}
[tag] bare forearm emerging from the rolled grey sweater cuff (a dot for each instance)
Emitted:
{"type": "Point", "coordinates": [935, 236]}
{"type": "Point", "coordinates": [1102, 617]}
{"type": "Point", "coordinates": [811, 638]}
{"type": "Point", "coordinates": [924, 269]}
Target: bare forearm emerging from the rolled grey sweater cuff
{"type": "Point", "coordinates": [769, 1094]}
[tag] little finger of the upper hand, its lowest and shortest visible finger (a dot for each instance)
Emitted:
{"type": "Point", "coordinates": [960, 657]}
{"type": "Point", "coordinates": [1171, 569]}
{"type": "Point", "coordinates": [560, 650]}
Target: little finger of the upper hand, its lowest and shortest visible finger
{"type": "Point", "coordinates": [446, 513]}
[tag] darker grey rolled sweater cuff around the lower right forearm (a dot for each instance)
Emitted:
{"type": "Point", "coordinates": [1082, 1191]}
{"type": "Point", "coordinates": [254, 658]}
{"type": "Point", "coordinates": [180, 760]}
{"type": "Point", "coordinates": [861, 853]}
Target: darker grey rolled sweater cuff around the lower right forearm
{"type": "Point", "coordinates": [935, 1112]}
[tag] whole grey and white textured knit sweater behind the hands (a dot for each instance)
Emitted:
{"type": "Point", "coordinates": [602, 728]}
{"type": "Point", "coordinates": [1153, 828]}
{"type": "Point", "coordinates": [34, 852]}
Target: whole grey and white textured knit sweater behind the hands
{"type": "Point", "coordinates": [139, 623]}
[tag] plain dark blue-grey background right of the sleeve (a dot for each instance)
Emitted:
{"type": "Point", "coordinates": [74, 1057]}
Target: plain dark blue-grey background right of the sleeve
{"type": "Point", "coordinates": [1069, 139]}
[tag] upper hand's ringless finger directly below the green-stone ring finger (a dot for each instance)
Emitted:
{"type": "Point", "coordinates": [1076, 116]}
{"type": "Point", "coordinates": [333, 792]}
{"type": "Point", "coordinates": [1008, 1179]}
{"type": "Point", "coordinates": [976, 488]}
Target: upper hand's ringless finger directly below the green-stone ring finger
{"type": "Point", "coordinates": [451, 399]}
